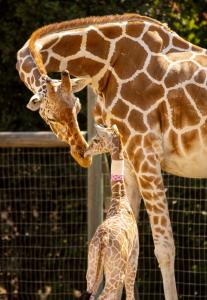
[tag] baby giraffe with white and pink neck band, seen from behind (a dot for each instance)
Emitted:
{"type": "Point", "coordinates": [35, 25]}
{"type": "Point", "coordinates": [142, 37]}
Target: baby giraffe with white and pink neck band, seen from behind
{"type": "Point", "coordinates": [113, 250]}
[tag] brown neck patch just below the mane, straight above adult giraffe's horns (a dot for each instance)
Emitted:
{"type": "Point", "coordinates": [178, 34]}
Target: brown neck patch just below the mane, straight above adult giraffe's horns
{"type": "Point", "coordinates": [68, 45]}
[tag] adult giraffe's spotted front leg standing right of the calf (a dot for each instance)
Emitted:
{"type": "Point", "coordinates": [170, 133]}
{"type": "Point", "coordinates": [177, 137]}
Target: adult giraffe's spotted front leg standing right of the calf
{"type": "Point", "coordinates": [152, 190]}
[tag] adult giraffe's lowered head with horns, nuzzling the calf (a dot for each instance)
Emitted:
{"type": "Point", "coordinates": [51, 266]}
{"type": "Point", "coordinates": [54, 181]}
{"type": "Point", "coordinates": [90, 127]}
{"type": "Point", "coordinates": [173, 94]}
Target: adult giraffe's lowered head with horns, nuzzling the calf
{"type": "Point", "coordinates": [59, 110]}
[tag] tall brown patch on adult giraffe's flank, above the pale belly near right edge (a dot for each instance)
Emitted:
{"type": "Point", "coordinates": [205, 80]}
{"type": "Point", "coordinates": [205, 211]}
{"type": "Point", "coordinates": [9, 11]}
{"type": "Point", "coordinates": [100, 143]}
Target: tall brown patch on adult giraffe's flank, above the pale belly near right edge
{"type": "Point", "coordinates": [183, 114]}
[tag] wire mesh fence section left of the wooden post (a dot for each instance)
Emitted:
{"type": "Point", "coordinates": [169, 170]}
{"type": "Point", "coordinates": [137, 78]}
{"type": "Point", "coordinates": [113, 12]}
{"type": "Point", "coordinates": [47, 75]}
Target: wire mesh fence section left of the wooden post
{"type": "Point", "coordinates": [43, 224]}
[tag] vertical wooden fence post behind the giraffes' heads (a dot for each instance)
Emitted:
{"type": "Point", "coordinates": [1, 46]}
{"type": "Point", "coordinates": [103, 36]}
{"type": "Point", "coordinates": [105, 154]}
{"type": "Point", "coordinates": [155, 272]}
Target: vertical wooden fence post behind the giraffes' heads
{"type": "Point", "coordinates": [95, 177]}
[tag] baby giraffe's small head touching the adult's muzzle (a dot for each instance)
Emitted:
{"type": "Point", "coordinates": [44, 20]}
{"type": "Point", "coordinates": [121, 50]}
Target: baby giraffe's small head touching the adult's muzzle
{"type": "Point", "coordinates": [106, 140]}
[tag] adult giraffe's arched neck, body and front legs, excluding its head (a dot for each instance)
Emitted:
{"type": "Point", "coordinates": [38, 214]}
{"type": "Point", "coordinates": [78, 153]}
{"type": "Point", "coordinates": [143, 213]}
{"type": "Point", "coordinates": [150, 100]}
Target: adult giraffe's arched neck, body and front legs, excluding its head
{"type": "Point", "coordinates": [152, 84]}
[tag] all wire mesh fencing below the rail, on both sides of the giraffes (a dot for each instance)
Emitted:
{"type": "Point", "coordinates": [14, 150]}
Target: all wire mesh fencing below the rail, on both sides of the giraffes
{"type": "Point", "coordinates": [44, 229]}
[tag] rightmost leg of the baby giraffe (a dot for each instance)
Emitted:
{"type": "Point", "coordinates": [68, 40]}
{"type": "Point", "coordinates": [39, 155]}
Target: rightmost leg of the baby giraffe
{"type": "Point", "coordinates": [131, 271]}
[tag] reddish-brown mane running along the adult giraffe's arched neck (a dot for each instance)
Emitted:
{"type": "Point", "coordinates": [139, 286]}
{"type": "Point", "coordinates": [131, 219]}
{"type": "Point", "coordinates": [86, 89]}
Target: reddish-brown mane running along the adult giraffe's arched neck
{"type": "Point", "coordinates": [79, 23]}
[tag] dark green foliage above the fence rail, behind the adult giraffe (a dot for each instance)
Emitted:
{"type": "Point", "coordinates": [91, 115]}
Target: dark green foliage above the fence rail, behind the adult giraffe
{"type": "Point", "coordinates": [20, 18]}
